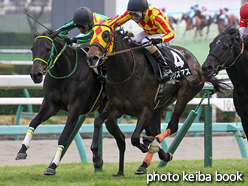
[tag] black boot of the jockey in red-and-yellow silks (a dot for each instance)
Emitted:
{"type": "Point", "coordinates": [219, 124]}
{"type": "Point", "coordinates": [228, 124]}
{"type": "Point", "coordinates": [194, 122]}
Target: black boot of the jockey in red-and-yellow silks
{"type": "Point", "coordinates": [165, 69]}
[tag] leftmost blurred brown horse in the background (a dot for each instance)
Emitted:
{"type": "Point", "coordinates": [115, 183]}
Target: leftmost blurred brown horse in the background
{"type": "Point", "coordinates": [200, 24]}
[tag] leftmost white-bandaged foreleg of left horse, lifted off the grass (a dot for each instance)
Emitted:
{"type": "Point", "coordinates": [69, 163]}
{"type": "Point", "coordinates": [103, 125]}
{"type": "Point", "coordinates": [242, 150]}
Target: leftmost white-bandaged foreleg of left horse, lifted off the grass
{"type": "Point", "coordinates": [44, 113]}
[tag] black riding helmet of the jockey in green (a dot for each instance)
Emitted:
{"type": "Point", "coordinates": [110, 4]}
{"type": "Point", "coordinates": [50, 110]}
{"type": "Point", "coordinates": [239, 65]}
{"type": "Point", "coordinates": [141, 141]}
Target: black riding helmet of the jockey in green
{"type": "Point", "coordinates": [82, 16]}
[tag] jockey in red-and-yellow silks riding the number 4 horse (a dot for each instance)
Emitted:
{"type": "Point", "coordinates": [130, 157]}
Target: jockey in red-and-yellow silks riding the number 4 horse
{"type": "Point", "coordinates": [155, 29]}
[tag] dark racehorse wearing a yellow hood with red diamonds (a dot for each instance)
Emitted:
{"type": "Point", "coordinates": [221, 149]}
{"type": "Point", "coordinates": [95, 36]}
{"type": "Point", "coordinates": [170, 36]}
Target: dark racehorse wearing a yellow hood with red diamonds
{"type": "Point", "coordinates": [131, 87]}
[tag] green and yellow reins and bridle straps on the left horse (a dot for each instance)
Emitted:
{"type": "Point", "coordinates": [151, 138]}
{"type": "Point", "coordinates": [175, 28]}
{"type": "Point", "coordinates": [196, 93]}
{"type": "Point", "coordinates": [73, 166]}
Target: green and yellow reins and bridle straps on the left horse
{"type": "Point", "coordinates": [50, 63]}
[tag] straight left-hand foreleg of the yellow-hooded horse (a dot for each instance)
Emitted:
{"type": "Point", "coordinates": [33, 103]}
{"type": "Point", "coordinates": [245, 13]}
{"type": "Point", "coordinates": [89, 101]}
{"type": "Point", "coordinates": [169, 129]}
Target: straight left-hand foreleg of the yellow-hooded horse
{"type": "Point", "coordinates": [97, 159]}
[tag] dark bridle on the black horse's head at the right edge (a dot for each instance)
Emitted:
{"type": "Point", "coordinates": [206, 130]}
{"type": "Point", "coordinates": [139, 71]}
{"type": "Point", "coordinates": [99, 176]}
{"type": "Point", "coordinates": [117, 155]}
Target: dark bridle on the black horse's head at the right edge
{"type": "Point", "coordinates": [226, 56]}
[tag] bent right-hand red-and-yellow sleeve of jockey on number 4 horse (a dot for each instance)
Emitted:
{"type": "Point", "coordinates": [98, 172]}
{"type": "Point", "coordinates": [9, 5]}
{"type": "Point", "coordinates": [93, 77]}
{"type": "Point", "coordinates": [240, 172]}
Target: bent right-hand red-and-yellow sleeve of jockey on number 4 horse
{"type": "Point", "coordinates": [165, 27]}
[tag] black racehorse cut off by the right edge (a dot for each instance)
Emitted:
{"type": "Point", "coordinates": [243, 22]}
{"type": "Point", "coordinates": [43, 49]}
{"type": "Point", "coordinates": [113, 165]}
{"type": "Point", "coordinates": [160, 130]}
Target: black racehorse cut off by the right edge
{"type": "Point", "coordinates": [227, 52]}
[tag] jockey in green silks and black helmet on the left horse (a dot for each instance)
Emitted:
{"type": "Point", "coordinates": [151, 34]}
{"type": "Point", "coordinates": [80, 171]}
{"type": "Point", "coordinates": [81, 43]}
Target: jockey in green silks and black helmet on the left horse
{"type": "Point", "coordinates": [83, 20]}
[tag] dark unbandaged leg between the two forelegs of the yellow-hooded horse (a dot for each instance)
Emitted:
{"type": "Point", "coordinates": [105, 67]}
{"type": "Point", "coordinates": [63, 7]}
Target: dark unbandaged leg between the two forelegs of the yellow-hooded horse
{"type": "Point", "coordinates": [115, 131]}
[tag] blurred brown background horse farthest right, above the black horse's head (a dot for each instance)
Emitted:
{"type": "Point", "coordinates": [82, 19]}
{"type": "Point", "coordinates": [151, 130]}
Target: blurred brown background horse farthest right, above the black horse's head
{"type": "Point", "coordinates": [232, 20]}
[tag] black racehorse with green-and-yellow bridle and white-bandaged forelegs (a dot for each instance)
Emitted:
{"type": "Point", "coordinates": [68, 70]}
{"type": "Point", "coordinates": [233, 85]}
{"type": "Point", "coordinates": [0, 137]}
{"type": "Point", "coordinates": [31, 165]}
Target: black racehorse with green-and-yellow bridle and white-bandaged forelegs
{"type": "Point", "coordinates": [69, 85]}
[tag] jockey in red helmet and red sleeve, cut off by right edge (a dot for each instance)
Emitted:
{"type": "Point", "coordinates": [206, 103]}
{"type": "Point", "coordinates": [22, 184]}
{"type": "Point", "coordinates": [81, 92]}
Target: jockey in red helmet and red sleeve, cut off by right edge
{"type": "Point", "coordinates": [243, 20]}
